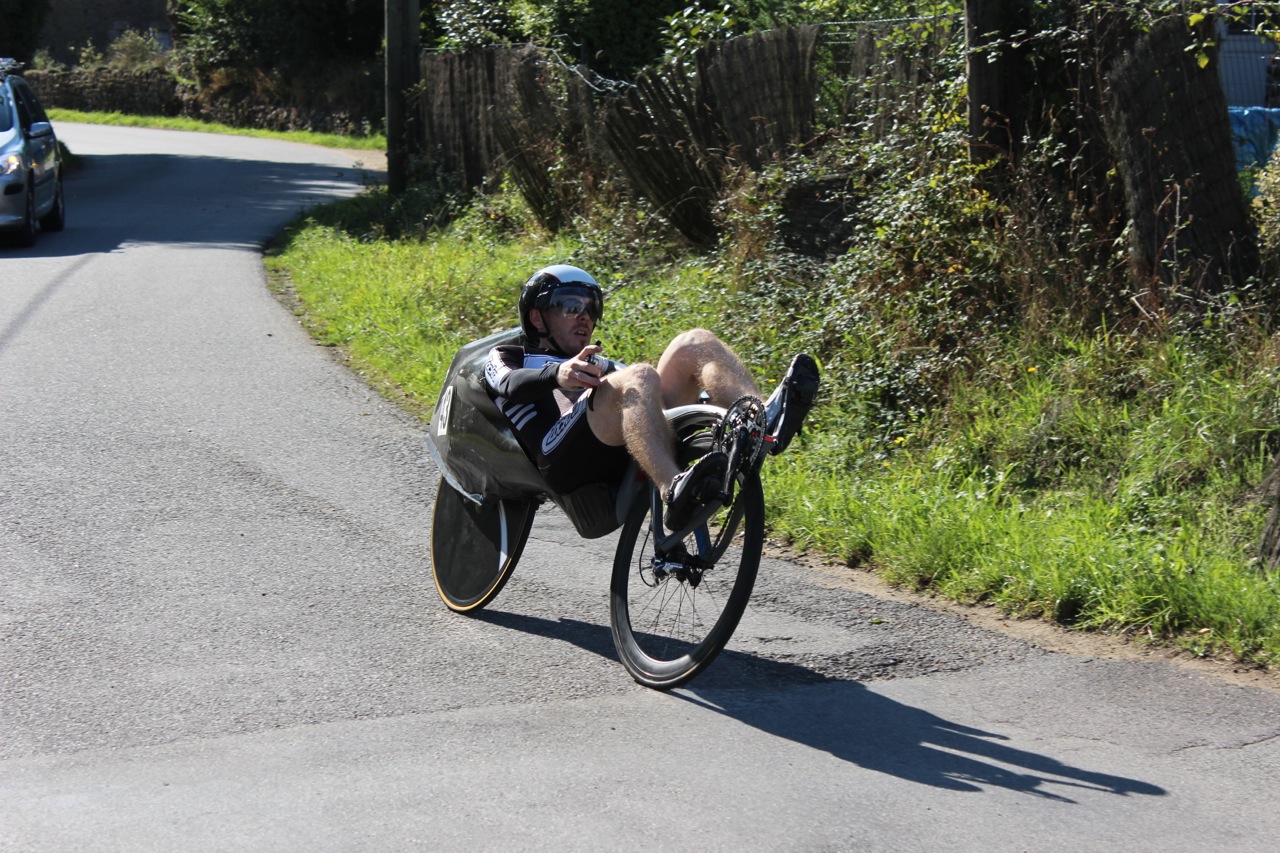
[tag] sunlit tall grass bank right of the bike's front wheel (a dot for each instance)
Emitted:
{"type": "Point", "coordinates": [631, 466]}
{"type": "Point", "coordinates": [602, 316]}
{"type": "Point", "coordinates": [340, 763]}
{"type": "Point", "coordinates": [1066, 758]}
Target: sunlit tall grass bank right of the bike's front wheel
{"type": "Point", "coordinates": [1062, 490]}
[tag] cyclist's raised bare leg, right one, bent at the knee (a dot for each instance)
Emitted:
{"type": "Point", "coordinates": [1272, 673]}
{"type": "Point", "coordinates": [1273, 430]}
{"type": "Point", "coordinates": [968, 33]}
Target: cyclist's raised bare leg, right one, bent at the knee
{"type": "Point", "coordinates": [698, 361]}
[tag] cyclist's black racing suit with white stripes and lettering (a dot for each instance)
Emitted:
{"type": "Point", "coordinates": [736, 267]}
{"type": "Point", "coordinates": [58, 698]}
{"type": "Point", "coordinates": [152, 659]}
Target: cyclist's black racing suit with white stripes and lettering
{"type": "Point", "coordinates": [551, 422]}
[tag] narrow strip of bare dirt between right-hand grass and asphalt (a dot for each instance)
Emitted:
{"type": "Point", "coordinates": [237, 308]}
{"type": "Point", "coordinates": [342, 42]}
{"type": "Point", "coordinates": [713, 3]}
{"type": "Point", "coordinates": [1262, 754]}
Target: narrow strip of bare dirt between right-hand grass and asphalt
{"type": "Point", "coordinates": [1040, 633]}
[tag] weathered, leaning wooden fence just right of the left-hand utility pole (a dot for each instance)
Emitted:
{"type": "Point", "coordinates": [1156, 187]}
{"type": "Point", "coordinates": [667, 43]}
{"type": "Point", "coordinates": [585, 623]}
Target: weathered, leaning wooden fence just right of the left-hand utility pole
{"type": "Point", "coordinates": [673, 135]}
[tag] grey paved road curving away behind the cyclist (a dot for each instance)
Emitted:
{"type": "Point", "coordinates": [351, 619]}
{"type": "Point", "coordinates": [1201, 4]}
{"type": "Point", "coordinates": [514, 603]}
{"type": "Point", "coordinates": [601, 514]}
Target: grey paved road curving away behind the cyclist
{"type": "Point", "coordinates": [218, 631]}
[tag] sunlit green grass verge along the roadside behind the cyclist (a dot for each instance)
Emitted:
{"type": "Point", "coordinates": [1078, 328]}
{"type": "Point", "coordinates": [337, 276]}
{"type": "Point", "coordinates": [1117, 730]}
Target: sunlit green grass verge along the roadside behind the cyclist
{"type": "Point", "coordinates": [1101, 482]}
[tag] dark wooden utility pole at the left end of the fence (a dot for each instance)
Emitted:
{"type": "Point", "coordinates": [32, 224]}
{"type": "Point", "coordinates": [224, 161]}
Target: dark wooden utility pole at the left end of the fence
{"type": "Point", "coordinates": [404, 70]}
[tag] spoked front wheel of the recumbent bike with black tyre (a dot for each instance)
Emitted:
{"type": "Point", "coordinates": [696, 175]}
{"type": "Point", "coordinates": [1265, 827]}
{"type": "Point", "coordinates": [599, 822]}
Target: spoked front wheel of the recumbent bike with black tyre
{"type": "Point", "coordinates": [673, 614]}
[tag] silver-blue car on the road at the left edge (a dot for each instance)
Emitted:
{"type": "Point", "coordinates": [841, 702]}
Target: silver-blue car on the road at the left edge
{"type": "Point", "coordinates": [31, 167]}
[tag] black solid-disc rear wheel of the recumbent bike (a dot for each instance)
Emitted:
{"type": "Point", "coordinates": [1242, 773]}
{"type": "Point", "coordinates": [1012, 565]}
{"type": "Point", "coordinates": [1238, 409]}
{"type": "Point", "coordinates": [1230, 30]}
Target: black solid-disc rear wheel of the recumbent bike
{"type": "Point", "coordinates": [476, 548]}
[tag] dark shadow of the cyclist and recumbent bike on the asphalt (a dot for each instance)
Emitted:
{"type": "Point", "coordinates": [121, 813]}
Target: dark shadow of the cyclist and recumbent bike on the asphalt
{"type": "Point", "coordinates": [853, 723]}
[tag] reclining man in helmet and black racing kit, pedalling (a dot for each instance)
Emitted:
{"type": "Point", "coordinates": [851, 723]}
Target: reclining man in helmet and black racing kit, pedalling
{"type": "Point", "coordinates": [580, 418]}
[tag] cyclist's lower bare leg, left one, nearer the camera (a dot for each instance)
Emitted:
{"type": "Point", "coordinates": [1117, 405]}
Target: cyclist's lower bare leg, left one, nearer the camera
{"type": "Point", "coordinates": [627, 409]}
